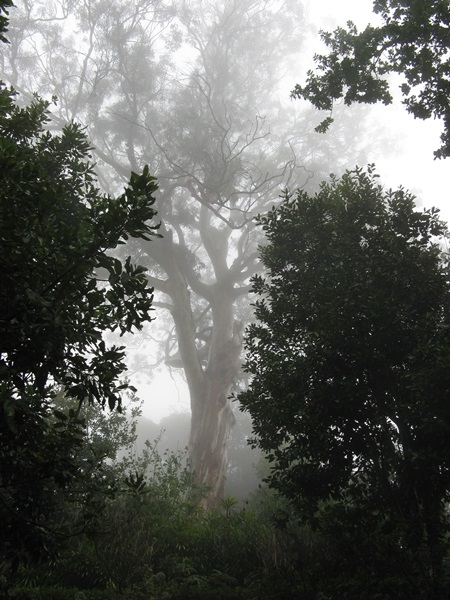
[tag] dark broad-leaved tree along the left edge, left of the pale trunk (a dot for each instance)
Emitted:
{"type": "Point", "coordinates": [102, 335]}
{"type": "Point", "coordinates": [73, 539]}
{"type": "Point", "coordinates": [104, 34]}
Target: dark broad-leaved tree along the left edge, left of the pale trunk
{"type": "Point", "coordinates": [60, 291]}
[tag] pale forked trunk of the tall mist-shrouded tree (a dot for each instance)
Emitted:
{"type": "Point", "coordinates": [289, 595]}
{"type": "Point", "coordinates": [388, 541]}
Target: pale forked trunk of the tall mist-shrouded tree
{"type": "Point", "coordinates": [209, 384]}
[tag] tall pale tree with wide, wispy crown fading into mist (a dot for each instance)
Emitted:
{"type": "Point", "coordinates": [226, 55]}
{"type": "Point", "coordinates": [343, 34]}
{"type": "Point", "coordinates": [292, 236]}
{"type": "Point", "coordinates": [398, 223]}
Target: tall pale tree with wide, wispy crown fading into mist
{"type": "Point", "coordinates": [206, 126]}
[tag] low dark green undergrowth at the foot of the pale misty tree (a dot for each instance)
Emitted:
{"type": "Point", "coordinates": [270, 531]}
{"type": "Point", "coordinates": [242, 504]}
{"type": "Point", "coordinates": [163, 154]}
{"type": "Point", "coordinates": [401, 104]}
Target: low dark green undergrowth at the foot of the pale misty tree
{"type": "Point", "coordinates": [151, 540]}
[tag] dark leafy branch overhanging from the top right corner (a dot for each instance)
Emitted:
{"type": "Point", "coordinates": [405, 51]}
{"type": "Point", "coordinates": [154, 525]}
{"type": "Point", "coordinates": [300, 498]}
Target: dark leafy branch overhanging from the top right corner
{"type": "Point", "coordinates": [414, 41]}
